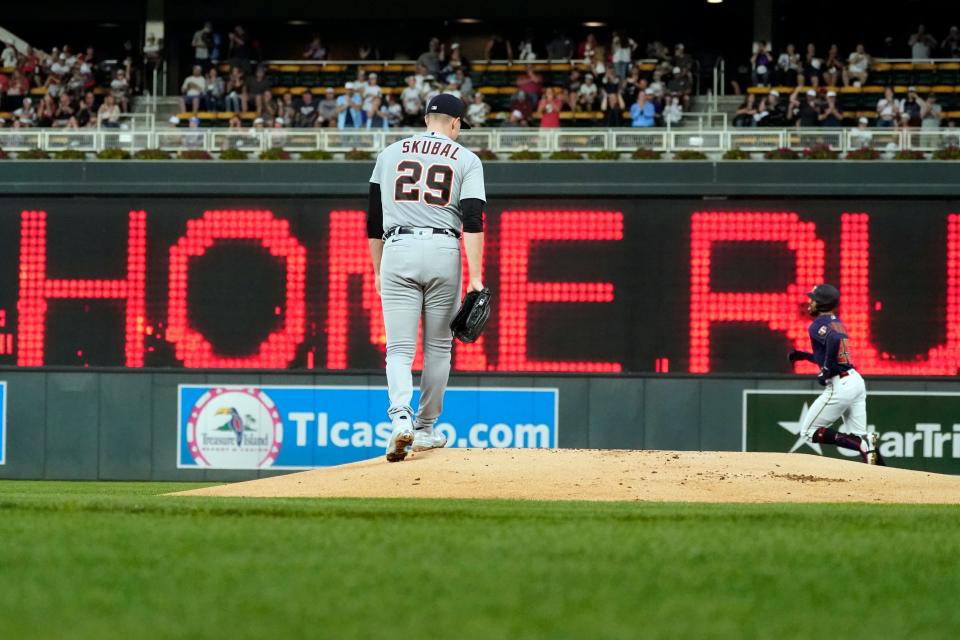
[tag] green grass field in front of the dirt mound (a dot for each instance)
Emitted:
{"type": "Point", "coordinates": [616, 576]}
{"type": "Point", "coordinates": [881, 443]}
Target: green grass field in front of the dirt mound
{"type": "Point", "coordinates": [105, 560]}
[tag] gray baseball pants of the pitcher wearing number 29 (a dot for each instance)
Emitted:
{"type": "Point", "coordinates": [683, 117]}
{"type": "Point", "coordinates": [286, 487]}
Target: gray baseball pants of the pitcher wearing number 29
{"type": "Point", "coordinates": [419, 278]}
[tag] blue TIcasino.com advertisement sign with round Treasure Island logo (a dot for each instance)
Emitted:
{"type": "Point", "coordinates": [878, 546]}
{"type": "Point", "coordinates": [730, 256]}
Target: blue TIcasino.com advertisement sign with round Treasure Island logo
{"type": "Point", "coordinates": [278, 427]}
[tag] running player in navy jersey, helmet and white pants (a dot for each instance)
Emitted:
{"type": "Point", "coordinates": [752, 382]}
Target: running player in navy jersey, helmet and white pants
{"type": "Point", "coordinates": [845, 396]}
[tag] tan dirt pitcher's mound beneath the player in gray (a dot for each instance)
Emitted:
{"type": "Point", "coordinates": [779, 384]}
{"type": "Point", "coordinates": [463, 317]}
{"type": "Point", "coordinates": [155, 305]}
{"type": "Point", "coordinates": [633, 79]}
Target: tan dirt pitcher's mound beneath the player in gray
{"type": "Point", "coordinates": [576, 474]}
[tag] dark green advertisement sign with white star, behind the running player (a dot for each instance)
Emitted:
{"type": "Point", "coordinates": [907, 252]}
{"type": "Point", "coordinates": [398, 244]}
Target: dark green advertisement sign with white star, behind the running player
{"type": "Point", "coordinates": [918, 430]}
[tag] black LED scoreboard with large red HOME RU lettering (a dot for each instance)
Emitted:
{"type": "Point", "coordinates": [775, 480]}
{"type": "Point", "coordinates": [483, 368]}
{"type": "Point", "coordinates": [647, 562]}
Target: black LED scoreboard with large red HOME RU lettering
{"type": "Point", "coordinates": [581, 285]}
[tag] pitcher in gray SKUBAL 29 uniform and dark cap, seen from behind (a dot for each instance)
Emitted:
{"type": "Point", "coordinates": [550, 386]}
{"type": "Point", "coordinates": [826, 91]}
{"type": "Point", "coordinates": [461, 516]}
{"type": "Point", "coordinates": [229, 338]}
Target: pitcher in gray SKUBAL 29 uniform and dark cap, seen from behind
{"type": "Point", "coordinates": [426, 191]}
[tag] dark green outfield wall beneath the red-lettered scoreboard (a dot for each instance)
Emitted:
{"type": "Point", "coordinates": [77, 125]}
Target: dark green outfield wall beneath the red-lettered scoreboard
{"type": "Point", "coordinates": [124, 426]}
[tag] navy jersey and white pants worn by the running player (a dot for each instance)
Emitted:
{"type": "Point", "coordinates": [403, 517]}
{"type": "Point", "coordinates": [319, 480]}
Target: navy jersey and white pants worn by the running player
{"type": "Point", "coordinates": [845, 395]}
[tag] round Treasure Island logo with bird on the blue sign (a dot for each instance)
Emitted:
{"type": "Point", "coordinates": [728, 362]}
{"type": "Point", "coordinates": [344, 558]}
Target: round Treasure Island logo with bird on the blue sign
{"type": "Point", "coordinates": [235, 429]}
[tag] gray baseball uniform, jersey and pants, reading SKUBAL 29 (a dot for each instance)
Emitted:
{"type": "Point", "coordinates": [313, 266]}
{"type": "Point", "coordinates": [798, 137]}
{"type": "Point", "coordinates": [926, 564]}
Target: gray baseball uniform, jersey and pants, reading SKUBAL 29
{"type": "Point", "coordinates": [422, 181]}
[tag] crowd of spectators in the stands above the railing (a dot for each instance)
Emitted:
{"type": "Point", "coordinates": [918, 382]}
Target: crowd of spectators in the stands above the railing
{"type": "Point", "coordinates": [614, 83]}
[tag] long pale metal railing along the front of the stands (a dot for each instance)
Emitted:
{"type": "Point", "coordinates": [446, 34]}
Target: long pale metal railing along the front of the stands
{"type": "Point", "coordinates": [505, 140]}
